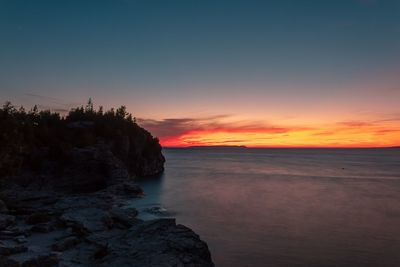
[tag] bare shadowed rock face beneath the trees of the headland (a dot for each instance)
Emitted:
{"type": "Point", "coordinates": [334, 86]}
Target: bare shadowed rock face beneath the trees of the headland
{"type": "Point", "coordinates": [87, 169]}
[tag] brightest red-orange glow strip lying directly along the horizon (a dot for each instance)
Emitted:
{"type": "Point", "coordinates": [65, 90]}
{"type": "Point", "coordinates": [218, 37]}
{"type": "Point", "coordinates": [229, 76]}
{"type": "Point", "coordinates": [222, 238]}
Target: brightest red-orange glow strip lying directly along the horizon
{"type": "Point", "coordinates": [346, 135]}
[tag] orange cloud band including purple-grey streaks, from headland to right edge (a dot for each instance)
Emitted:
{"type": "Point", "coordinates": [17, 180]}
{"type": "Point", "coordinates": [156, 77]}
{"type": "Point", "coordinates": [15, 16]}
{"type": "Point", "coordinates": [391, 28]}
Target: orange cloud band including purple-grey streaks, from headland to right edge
{"type": "Point", "coordinates": [216, 131]}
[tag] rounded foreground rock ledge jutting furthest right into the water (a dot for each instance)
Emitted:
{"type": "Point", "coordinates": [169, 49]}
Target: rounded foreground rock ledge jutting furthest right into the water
{"type": "Point", "coordinates": [158, 243]}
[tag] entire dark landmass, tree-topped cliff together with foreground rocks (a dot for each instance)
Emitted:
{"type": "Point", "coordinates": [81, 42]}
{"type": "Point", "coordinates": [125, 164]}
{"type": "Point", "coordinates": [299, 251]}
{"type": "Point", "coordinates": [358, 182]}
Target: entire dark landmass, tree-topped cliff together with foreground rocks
{"type": "Point", "coordinates": [66, 187]}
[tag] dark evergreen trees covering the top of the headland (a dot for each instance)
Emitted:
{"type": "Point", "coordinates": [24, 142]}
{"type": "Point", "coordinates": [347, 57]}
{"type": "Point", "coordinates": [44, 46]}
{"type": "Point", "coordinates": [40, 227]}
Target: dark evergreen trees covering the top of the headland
{"type": "Point", "coordinates": [24, 133]}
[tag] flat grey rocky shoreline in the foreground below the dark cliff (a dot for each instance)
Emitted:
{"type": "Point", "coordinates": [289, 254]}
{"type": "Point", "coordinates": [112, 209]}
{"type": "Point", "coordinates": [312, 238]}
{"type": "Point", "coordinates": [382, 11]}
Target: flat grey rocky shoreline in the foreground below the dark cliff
{"type": "Point", "coordinates": [48, 228]}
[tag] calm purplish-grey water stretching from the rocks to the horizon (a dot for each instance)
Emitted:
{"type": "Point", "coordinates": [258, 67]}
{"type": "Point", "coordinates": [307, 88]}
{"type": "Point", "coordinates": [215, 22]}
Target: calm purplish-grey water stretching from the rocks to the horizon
{"type": "Point", "coordinates": [285, 207]}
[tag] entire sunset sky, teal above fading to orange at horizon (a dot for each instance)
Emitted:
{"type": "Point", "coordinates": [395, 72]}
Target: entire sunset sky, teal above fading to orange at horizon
{"type": "Point", "coordinates": [281, 73]}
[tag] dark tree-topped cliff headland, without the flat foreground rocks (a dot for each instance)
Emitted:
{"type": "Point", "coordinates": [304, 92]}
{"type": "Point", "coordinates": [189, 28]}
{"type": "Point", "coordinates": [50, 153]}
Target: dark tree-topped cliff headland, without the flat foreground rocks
{"type": "Point", "coordinates": [94, 142]}
